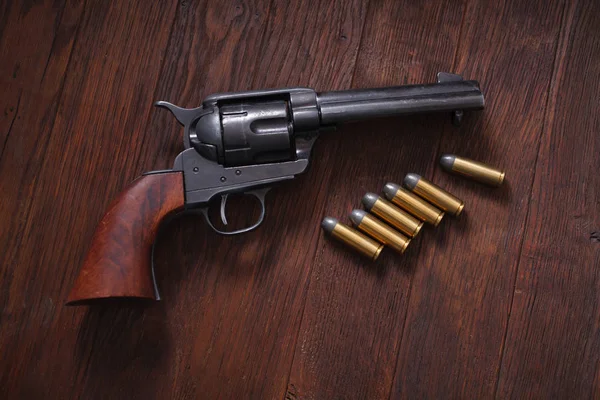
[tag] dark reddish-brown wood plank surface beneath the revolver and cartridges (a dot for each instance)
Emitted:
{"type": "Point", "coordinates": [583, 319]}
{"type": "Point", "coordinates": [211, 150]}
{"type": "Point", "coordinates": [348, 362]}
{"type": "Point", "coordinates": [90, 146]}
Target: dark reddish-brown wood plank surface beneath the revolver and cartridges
{"type": "Point", "coordinates": [503, 301]}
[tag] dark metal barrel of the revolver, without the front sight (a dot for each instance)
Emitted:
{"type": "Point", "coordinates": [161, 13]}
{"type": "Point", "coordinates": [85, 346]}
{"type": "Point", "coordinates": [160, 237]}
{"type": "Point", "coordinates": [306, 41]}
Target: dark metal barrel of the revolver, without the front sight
{"type": "Point", "coordinates": [354, 105]}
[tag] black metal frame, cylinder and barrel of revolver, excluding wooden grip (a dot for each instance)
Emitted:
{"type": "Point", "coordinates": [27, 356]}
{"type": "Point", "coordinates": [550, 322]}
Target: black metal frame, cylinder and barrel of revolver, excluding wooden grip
{"type": "Point", "coordinates": [243, 142]}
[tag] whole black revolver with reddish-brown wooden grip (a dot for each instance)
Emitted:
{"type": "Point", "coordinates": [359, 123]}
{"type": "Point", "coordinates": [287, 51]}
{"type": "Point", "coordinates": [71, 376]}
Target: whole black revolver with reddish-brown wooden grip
{"type": "Point", "coordinates": [238, 143]}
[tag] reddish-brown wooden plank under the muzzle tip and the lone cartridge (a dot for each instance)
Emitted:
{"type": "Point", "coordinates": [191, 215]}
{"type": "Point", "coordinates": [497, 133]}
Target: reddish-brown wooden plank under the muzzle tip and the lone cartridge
{"type": "Point", "coordinates": [460, 298]}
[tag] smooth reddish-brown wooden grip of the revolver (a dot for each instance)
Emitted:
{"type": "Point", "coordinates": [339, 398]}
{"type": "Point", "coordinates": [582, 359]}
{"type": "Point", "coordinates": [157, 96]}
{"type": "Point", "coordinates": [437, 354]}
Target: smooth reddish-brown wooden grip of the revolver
{"type": "Point", "coordinates": [118, 263]}
